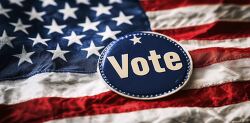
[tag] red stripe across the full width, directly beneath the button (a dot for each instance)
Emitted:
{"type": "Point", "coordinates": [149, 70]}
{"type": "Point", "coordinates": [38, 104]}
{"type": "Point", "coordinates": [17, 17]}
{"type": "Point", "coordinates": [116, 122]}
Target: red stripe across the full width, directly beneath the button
{"type": "Point", "coordinates": [44, 109]}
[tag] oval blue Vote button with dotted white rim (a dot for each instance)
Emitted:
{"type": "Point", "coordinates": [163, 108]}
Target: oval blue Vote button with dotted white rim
{"type": "Point", "coordinates": [145, 65]}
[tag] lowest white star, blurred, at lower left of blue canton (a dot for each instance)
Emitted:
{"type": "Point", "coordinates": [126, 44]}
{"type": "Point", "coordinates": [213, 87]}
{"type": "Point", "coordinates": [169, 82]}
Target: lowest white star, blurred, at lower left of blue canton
{"type": "Point", "coordinates": [24, 56]}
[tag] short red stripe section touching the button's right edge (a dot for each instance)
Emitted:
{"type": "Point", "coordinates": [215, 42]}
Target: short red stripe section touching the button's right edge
{"type": "Point", "coordinates": [208, 56]}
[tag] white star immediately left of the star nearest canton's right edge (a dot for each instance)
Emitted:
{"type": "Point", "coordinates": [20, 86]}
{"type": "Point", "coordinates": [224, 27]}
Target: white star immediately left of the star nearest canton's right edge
{"type": "Point", "coordinates": [89, 25]}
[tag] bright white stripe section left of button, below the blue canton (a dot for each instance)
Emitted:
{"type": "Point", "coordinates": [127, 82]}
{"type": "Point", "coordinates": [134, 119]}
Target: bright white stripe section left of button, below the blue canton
{"type": "Point", "coordinates": [51, 85]}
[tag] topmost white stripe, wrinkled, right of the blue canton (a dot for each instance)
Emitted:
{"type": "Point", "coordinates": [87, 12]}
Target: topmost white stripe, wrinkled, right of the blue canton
{"type": "Point", "coordinates": [197, 15]}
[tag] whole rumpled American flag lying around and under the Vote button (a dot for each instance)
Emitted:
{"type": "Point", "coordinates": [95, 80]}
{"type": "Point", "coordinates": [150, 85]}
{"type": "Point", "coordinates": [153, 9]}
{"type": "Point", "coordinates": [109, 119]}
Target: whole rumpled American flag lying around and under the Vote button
{"type": "Point", "coordinates": [49, 50]}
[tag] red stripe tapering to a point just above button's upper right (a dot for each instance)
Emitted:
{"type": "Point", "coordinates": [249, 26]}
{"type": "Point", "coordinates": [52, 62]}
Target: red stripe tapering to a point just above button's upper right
{"type": "Point", "coordinates": [213, 31]}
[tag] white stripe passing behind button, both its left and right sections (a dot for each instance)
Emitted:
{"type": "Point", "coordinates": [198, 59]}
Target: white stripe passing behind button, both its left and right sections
{"type": "Point", "coordinates": [76, 85]}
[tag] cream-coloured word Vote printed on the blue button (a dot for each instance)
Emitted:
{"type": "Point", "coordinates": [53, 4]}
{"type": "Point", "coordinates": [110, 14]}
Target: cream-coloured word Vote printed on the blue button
{"type": "Point", "coordinates": [172, 61]}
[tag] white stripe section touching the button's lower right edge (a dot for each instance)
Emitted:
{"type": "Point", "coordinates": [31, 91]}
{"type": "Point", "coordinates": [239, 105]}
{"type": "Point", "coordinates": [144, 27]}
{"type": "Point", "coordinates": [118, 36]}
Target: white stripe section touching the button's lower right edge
{"type": "Point", "coordinates": [219, 73]}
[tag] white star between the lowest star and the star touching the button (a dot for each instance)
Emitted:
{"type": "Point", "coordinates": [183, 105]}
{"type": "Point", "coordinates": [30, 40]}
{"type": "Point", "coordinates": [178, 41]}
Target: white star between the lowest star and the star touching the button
{"type": "Point", "coordinates": [58, 53]}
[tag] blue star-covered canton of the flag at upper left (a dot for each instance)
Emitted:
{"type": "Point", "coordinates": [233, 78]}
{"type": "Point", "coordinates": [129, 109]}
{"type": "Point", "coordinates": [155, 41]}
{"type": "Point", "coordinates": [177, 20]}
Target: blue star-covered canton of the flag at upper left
{"type": "Point", "coordinates": [39, 36]}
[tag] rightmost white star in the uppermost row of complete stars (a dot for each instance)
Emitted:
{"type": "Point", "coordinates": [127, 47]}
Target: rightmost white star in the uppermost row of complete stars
{"type": "Point", "coordinates": [101, 9]}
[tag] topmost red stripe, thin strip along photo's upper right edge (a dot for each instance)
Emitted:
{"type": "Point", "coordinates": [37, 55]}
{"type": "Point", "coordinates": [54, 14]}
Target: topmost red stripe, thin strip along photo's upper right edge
{"type": "Point", "coordinates": [153, 5]}
